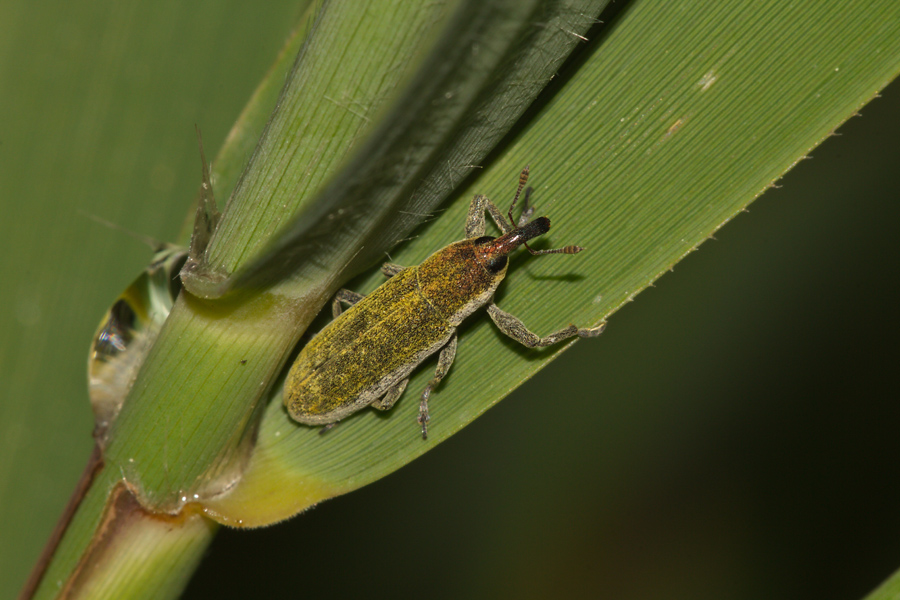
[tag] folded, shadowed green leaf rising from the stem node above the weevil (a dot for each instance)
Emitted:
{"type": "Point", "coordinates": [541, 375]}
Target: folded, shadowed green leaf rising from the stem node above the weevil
{"type": "Point", "coordinates": [489, 63]}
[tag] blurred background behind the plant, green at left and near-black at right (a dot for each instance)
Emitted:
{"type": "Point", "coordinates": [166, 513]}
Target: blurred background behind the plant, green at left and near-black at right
{"type": "Point", "coordinates": [731, 434]}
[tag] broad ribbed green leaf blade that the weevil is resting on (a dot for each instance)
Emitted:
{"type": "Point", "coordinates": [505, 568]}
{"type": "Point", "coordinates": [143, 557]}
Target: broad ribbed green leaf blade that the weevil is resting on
{"type": "Point", "coordinates": [689, 138]}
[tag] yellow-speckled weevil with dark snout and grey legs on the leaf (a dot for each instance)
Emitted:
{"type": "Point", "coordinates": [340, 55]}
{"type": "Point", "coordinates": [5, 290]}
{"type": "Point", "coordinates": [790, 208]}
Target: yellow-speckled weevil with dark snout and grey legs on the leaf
{"type": "Point", "coordinates": [365, 355]}
